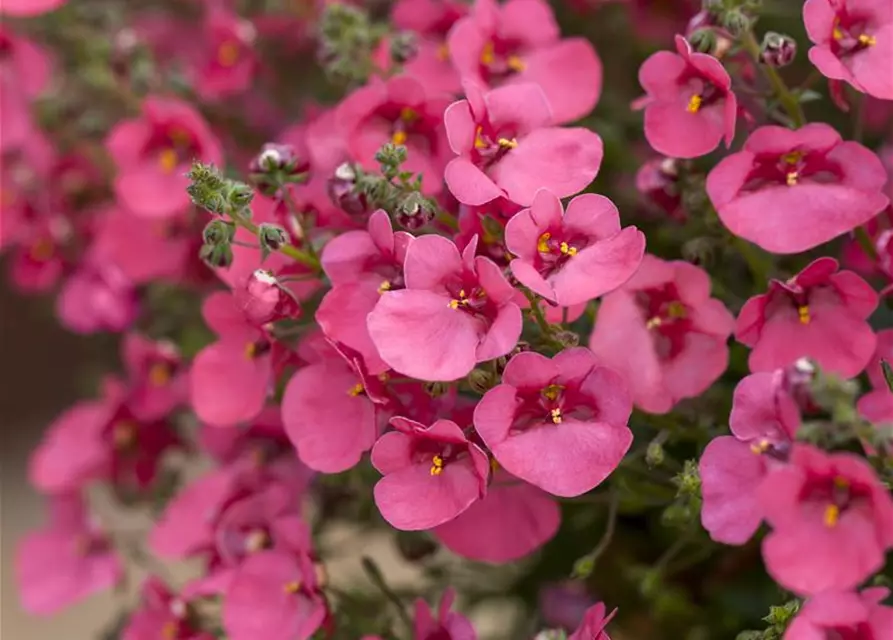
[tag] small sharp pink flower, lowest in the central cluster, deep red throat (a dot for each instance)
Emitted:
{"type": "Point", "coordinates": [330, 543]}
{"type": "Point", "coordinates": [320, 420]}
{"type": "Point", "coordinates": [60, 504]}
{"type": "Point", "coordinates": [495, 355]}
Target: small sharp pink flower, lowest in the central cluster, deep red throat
{"type": "Point", "coordinates": [431, 474]}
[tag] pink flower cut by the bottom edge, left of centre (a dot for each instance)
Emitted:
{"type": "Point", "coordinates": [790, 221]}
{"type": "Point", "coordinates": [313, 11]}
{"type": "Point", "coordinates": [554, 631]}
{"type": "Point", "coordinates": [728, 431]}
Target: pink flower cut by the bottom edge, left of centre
{"type": "Point", "coordinates": [273, 595]}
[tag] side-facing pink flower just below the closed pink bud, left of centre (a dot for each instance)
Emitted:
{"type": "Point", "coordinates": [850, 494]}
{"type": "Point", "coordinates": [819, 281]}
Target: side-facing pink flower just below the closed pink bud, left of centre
{"type": "Point", "coordinates": [230, 379]}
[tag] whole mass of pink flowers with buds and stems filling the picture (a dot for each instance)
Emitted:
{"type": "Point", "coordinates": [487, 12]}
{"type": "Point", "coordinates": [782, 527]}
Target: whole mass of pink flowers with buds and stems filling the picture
{"type": "Point", "coordinates": [421, 300]}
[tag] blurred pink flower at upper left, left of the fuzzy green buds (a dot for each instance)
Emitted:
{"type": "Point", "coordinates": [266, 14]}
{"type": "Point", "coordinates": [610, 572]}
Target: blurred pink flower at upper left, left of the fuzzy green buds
{"type": "Point", "coordinates": [153, 154]}
